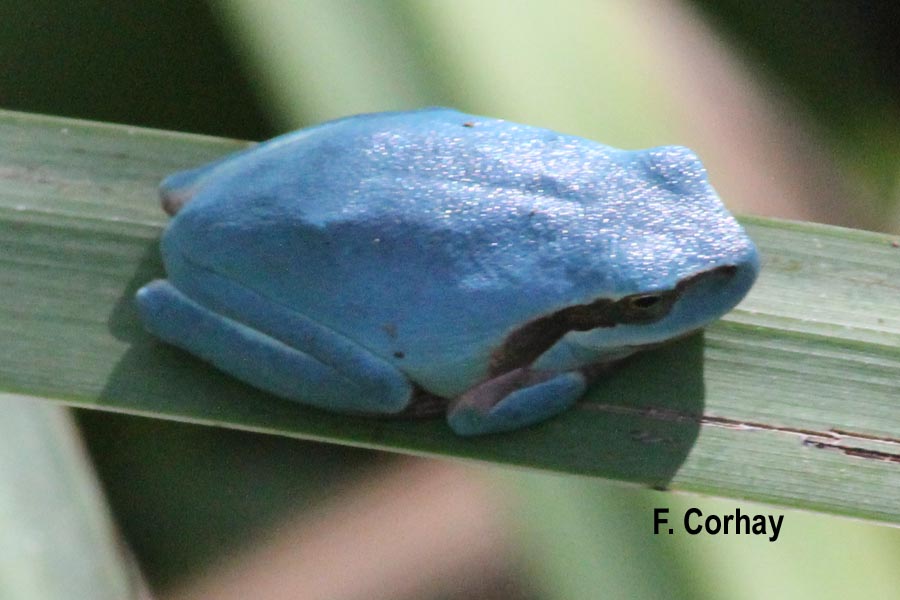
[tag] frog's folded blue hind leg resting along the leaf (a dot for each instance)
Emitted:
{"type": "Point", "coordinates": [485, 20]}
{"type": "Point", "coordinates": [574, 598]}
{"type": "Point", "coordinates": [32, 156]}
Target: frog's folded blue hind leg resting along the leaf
{"type": "Point", "coordinates": [311, 364]}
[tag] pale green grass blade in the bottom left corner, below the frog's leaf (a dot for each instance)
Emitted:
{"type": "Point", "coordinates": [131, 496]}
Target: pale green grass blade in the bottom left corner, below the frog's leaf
{"type": "Point", "coordinates": [57, 540]}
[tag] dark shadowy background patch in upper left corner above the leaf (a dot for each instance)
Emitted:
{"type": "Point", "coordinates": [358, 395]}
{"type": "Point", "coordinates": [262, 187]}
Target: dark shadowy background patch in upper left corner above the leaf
{"type": "Point", "coordinates": [157, 63]}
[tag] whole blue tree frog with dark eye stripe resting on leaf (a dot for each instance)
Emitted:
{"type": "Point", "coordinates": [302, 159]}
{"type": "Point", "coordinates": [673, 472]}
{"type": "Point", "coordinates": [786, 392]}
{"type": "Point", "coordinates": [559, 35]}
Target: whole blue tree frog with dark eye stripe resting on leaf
{"type": "Point", "coordinates": [371, 264]}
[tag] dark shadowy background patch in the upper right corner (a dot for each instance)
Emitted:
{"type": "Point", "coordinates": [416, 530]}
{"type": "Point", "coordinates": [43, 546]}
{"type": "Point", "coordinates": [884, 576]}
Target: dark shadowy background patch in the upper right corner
{"type": "Point", "coordinates": [840, 58]}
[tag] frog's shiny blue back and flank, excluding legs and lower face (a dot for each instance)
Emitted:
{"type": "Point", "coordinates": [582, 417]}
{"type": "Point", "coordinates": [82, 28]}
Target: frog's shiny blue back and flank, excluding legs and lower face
{"type": "Point", "coordinates": [430, 235]}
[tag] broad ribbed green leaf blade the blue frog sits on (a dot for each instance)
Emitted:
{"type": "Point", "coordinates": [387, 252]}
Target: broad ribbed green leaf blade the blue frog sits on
{"type": "Point", "coordinates": [791, 399]}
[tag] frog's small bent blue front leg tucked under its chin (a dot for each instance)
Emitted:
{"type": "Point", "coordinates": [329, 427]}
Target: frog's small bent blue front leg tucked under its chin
{"type": "Point", "coordinates": [515, 399]}
